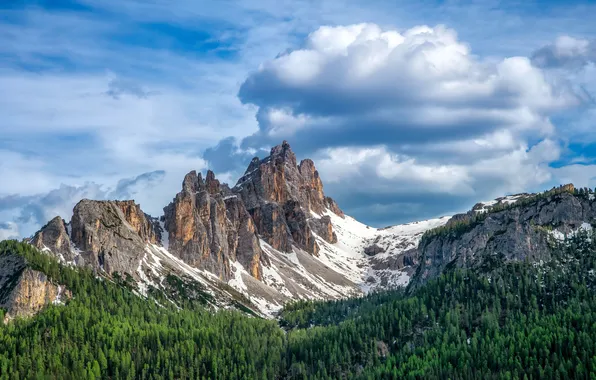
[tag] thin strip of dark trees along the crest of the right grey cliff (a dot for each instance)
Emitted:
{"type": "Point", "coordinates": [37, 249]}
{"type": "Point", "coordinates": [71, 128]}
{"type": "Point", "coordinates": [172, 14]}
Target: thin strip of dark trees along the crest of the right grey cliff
{"type": "Point", "coordinates": [467, 222]}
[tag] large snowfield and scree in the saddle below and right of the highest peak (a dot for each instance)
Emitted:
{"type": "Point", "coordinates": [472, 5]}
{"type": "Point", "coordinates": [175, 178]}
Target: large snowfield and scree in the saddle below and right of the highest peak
{"type": "Point", "coordinates": [340, 270]}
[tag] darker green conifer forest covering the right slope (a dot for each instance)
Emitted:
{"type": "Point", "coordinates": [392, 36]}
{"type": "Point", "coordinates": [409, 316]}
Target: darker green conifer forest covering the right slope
{"type": "Point", "coordinates": [521, 321]}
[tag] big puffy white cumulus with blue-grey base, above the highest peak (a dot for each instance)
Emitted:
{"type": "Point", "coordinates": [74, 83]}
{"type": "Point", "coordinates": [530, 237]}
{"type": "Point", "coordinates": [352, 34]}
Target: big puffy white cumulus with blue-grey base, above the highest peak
{"type": "Point", "coordinates": [360, 84]}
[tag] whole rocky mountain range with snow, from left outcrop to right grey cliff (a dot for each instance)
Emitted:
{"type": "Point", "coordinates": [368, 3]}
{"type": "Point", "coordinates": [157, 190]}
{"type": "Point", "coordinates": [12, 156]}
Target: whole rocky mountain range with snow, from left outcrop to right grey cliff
{"type": "Point", "coordinates": [276, 237]}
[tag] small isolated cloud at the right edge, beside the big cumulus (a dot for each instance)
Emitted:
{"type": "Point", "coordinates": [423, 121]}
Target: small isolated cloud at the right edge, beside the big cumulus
{"type": "Point", "coordinates": [566, 51]}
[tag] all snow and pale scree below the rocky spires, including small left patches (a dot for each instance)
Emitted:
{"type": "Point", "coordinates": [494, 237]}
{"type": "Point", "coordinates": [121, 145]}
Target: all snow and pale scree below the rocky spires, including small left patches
{"type": "Point", "coordinates": [339, 270]}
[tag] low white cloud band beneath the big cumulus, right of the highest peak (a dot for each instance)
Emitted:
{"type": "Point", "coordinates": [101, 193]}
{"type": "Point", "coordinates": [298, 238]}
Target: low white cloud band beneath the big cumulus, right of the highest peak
{"type": "Point", "coordinates": [378, 170]}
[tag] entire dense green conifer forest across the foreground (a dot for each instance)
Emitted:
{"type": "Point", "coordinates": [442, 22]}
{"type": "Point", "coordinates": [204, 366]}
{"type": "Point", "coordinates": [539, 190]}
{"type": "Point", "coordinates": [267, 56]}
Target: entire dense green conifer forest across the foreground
{"type": "Point", "coordinates": [520, 320]}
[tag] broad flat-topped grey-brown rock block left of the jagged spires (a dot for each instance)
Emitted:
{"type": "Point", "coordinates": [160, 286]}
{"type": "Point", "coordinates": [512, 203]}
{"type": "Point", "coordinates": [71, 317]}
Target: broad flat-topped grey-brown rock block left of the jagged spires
{"type": "Point", "coordinates": [110, 235]}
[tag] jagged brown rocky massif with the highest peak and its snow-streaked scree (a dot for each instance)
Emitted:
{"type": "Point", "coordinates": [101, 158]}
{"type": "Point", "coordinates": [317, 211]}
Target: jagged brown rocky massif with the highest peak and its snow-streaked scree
{"type": "Point", "coordinates": [279, 204]}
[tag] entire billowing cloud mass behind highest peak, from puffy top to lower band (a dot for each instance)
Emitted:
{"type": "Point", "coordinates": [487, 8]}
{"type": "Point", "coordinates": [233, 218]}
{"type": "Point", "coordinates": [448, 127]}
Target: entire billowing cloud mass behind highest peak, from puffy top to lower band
{"type": "Point", "coordinates": [410, 118]}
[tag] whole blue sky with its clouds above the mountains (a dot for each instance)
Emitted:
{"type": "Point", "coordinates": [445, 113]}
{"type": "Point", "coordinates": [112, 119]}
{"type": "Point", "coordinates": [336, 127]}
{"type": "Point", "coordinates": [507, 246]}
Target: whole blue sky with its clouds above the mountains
{"type": "Point", "coordinates": [410, 110]}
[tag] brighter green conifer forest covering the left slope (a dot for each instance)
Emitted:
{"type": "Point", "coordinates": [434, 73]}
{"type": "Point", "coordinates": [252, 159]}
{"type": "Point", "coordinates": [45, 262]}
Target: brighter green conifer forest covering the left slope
{"type": "Point", "coordinates": [106, 331]}
